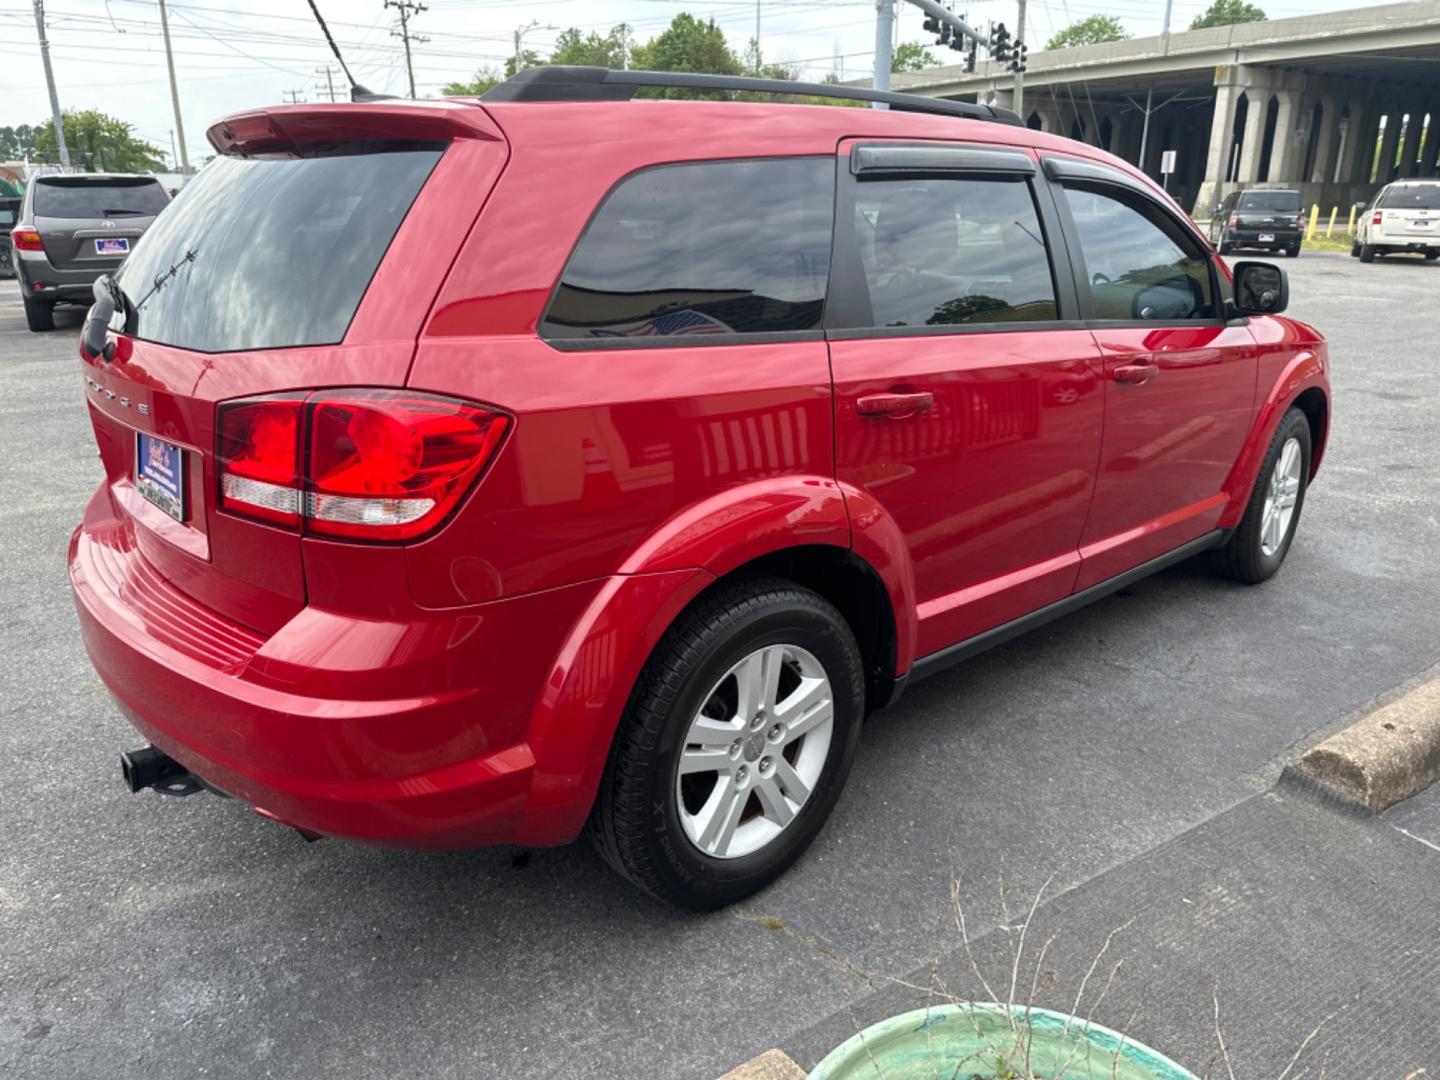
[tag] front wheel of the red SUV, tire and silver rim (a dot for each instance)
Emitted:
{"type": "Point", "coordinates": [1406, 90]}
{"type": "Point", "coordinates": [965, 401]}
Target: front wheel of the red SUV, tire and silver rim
{"type": "Point", "coordinates": [1252, 555]}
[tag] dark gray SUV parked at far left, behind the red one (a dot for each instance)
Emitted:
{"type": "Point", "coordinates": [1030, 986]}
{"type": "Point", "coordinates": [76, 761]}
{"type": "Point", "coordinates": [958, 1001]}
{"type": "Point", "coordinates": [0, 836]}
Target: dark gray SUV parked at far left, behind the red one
{"type": "Point", "coordinates": [76, 228]}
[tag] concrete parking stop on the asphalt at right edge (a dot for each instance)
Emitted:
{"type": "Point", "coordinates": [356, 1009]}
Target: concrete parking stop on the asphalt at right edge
{"type": "Point", "coordinates": [1385, 757]}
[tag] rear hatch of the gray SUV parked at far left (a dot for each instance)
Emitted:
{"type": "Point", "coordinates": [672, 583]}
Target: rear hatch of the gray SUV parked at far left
{"type": "Point", "coordinates": [91, 222]}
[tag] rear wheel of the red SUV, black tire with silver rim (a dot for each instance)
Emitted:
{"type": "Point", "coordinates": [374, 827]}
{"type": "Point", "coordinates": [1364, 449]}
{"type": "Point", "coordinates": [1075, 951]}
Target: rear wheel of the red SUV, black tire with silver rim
{"type": "Point", "coordinates": [650, 822]}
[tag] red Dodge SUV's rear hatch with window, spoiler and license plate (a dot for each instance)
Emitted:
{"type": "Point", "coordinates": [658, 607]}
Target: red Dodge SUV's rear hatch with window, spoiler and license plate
{"type": "Point", "coordinates": [305, 257]}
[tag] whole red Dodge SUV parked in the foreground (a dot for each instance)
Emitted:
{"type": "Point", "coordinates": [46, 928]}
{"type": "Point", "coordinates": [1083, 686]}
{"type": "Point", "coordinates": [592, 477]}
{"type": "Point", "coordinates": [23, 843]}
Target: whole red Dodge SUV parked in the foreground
{"type": "Point", "coordinates": [489, 472]}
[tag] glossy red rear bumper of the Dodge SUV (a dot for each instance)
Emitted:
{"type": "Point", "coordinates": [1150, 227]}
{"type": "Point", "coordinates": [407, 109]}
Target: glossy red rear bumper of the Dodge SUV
{"type": "Point", "coordinates": [444, 760]}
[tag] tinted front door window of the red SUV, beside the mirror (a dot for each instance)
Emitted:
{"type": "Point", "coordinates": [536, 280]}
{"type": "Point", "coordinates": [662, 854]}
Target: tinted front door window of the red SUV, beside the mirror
{"type": "Point", "coordinates": [1141, 263]}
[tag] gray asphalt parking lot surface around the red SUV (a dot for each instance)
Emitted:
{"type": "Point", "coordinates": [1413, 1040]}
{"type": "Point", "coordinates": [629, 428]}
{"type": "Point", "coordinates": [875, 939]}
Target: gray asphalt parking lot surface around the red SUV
{"type": "Point", "coordinates": [1127, 755]}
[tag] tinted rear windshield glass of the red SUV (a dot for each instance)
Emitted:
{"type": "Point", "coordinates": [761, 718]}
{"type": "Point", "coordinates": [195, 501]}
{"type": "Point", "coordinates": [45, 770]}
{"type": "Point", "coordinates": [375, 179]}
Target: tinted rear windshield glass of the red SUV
{"type": "Point", "coordinates": [271, 253]}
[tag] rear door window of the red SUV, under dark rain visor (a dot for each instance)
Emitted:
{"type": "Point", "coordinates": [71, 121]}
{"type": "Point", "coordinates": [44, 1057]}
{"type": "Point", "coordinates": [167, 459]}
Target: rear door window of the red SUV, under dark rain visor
{"type": "Point", "coordinates": [953, 251]}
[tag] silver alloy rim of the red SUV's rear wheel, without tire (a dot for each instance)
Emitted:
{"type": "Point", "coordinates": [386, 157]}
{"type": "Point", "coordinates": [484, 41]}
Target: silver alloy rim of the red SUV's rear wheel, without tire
{"type": "Point", "coordinates": [755, 751]}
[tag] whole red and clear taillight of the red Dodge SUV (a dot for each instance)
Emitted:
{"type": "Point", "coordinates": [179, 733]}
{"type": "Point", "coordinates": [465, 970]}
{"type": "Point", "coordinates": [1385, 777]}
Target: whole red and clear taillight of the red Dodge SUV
{"type": "Point", "coordinates": [356, 464]}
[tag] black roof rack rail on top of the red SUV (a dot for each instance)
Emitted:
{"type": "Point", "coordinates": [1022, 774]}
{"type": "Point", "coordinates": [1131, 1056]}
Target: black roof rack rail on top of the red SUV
{"type": "Point", "coordinates": [603, 84]}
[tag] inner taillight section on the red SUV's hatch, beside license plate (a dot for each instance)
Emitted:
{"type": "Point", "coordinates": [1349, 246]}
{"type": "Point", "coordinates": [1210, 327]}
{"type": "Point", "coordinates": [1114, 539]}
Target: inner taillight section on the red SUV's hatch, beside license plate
{"type": "Point", "coordinates": [258, 459]}
